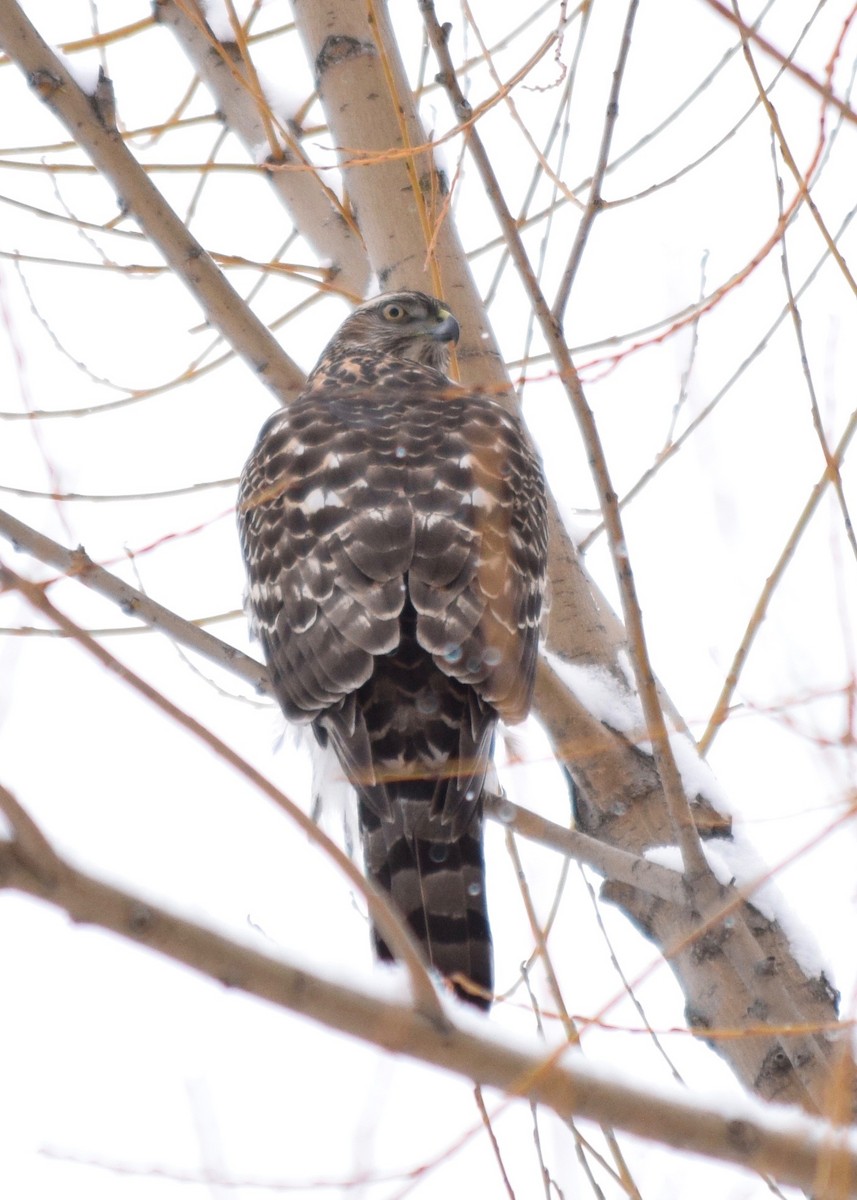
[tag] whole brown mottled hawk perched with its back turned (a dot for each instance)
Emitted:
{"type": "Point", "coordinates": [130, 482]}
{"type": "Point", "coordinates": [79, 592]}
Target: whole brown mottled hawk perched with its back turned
{"type": "Point", "coordinates": [394, 532]}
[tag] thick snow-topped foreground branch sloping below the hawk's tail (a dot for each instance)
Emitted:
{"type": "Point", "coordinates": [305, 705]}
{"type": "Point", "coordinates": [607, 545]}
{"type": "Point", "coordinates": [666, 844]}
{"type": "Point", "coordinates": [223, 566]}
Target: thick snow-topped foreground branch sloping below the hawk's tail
{"type": "Point", "coordinates": [801, 1153]}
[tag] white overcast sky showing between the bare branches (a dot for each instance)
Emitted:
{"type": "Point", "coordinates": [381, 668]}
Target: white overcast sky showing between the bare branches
{"type": "Point", "coordinates": [113, 1059]}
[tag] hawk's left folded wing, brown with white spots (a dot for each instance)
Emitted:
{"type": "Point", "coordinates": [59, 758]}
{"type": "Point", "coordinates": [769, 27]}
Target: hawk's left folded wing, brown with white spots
{"type": "Point", "coordinates": [327, 542]}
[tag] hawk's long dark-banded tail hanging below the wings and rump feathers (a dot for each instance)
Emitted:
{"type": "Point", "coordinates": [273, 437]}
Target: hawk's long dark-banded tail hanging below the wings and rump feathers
{"type": "Point", "coordinates": [440, 889]}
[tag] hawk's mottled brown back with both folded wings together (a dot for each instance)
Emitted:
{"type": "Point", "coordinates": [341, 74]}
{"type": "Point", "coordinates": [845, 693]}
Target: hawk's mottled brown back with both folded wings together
{"type": "Point", "coordinates": [347, 496]}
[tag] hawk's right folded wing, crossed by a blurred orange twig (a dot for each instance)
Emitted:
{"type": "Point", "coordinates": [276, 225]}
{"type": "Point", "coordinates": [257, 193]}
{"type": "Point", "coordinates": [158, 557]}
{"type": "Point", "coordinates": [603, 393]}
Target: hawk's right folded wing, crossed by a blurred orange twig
{"type": "Point", "coordinates": [478, 575]}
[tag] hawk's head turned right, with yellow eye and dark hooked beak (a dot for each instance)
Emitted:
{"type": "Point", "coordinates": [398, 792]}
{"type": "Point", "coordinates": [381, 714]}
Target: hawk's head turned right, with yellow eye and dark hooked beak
{"type": "Point", "coordinates": [405, 325]}
